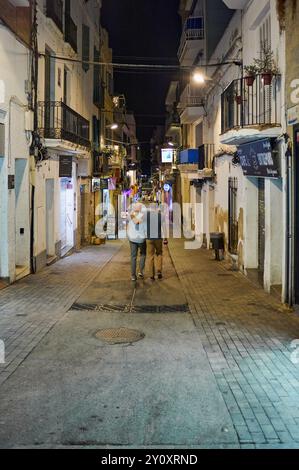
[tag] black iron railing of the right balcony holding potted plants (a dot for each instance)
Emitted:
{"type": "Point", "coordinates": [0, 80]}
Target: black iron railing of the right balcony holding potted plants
{"type": "Point", "coordinates": [249, 104]}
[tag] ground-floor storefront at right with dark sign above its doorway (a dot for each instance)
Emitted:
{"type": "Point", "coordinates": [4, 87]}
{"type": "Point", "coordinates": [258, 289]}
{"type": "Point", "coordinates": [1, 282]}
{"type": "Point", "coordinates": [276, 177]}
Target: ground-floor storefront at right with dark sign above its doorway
{"type": "Point", "coordinates": [261, 165]}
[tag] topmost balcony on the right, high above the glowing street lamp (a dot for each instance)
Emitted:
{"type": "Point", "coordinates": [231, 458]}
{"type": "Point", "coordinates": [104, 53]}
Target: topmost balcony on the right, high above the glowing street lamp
{"type": "Point", "coordinates": [192, 41]}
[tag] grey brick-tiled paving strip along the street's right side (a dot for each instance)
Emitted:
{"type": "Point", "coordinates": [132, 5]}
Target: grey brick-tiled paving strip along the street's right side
{"type": "Point", "coordinates": [246, 335]}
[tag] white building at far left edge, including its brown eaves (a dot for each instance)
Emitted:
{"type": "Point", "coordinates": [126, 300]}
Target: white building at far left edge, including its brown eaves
{"type": "Point", "coordinates": [15, 138]}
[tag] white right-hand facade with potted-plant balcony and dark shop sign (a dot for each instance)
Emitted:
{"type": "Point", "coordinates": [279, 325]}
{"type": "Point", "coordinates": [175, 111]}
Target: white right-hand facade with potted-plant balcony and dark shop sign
{"type": "Point", "coordinates": [245, 122]}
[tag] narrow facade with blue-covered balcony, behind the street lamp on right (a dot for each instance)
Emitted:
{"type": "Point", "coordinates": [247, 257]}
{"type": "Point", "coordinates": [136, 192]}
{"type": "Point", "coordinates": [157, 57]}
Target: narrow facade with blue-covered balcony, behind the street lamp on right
{"type": "Point", "coordinates": [203, 24]}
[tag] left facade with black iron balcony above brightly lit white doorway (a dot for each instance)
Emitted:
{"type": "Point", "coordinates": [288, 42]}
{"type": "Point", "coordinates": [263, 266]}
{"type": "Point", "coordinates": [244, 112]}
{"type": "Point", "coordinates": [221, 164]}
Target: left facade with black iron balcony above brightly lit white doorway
{"type": "Point", "coordinates": [70, 97]}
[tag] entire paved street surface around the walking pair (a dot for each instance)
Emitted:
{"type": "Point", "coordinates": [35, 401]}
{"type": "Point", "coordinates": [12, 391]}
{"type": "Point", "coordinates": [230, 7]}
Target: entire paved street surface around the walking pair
{"type": "Point", "coordinates": [213, 369]}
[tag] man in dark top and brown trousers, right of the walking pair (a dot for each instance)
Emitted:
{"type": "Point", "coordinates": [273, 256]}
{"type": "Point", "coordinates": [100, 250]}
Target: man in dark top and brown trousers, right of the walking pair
{"type": "Point", "coordinates": [155, 243]}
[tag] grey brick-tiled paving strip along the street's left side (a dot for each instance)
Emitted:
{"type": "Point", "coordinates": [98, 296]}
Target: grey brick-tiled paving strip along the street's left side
{"type": "Point", "coordinates": [28, 309]}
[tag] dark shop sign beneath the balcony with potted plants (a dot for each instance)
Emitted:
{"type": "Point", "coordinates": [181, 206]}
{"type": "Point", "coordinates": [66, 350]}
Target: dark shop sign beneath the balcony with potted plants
{"type": "Point", "coordinates": [259, 159]}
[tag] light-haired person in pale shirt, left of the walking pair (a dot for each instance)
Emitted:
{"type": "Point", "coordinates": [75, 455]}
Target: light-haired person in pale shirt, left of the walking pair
{"type": "Point", "coordinates": [137, 238]}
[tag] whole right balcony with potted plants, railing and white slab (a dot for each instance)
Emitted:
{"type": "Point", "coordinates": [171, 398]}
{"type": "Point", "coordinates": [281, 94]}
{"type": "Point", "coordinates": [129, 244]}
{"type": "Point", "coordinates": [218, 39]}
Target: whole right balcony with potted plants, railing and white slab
{"type": "Point", "coordinates": [251, 112]}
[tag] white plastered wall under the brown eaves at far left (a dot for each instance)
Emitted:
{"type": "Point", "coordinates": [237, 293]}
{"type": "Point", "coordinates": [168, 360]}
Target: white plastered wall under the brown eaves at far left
{"type": "Point", "coordinates": [13, 73]}
